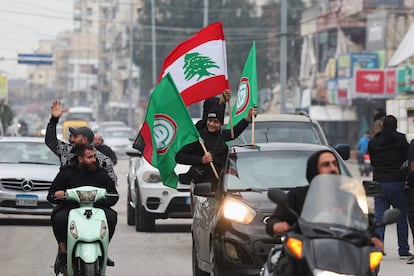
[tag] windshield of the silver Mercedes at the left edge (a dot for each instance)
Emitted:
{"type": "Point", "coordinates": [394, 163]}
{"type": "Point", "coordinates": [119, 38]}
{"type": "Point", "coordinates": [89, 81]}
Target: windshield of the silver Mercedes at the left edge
{"type": "Point", "coordinates": [27, 152]}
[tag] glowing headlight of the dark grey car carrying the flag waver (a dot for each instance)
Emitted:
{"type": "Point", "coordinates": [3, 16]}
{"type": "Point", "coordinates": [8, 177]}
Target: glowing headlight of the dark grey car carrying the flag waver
{"type": "Point", "coordinates": [237, 211]}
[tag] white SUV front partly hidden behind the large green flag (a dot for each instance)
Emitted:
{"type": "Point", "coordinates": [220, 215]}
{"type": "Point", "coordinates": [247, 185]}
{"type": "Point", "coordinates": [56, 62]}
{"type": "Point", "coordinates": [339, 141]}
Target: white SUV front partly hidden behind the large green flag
{"type": "Point", "coordinates": [149, 199]}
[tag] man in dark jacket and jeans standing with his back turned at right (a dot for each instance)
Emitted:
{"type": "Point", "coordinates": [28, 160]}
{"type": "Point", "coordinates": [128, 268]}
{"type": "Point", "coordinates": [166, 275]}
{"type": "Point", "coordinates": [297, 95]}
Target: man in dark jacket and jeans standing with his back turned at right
{"type": "Point", "coordinates": [388, 150]}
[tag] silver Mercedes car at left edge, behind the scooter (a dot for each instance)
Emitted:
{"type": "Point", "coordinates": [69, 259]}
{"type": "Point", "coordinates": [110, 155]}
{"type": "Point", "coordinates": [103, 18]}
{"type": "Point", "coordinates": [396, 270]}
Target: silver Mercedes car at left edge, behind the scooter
{"type": "Point", "coordinates": [27, 169]}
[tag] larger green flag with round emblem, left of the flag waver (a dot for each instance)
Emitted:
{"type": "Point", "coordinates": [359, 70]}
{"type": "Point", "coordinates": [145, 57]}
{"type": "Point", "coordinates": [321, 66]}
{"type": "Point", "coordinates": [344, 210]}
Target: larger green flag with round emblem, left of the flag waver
{"type": "Point", "coordinates": [167, 128]}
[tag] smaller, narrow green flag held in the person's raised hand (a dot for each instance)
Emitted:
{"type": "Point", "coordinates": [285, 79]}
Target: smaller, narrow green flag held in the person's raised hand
{"type": "Point", "coordinates": [247, 95]}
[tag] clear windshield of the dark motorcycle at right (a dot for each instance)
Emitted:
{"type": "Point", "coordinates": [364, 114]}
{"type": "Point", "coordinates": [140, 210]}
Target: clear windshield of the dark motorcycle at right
{"type": "Point", "coordinates": [346, 204]}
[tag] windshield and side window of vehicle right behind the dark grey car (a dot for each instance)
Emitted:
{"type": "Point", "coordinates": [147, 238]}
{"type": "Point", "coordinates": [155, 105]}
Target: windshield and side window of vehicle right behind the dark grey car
{"type": "Point", "coordinates": [292, 132]}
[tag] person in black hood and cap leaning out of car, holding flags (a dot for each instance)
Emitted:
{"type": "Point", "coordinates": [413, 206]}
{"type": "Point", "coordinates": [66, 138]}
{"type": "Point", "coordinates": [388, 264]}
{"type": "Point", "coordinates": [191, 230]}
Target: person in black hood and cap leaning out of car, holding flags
{"type": "Point", "coordinates": [215, 139]}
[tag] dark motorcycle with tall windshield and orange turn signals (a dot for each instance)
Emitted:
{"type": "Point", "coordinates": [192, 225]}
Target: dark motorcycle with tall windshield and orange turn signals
{"type": "Point", "coordinates": [332, 234]}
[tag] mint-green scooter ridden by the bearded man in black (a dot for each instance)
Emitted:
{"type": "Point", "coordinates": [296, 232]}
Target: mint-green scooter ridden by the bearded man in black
{"type": "Point", "coordinates": [88, 236]}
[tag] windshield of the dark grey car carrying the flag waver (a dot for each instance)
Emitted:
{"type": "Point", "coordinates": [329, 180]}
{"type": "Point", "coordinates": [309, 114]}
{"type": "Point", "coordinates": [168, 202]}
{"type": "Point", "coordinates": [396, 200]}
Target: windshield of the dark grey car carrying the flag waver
{"type": "Point", "coordinates": [267, 169]}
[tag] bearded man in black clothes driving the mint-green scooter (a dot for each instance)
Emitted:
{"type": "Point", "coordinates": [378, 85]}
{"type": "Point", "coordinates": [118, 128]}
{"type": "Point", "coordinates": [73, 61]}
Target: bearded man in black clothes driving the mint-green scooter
{"type": "Point", "coordinates": [84, 171]}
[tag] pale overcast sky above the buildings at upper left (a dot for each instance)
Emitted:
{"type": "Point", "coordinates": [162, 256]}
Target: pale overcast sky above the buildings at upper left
{"type": "Point", "coordinates": [23, 23]}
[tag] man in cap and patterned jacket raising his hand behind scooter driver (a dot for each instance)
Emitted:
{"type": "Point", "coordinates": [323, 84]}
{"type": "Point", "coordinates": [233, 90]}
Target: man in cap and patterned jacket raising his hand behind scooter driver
{"type": "Point", "coordinates": [78, 136]}
